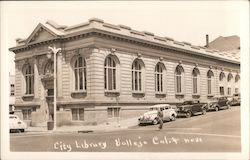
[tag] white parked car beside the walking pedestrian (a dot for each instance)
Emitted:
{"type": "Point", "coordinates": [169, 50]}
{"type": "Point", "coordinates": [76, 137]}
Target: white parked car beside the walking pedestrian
{"type": "Point", "coordinates": [150, 117]}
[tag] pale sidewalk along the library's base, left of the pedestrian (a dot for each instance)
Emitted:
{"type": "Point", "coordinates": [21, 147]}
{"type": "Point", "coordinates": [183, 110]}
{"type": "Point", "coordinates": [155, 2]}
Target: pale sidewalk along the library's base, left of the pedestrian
{"type": "Point", "coordinates": [114, 126]}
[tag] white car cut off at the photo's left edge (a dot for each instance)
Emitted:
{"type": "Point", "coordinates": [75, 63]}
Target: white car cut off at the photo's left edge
{"type": "Point", "coordinates": [15, 123]}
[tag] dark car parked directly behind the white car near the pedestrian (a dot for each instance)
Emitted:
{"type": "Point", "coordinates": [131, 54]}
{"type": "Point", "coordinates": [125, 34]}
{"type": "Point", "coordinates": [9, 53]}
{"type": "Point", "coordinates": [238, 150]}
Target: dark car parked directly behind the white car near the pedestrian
{"type": "Point", "coordinates": [191, 107]}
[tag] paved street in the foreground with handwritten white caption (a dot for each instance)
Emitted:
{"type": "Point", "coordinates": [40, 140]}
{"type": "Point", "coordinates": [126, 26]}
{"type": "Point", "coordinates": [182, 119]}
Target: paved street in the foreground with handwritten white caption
{"type": "Point", "coordinates": [213, 132]}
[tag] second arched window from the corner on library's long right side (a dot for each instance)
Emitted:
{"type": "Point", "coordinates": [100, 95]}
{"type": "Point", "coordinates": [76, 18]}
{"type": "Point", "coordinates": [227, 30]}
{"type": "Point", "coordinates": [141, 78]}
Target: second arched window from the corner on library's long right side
{"type": "Point", "coordinates": [137, 75]}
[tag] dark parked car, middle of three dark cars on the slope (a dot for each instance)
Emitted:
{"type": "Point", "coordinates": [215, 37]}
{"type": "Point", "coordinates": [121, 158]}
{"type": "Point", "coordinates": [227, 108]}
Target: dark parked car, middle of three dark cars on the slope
{"type": "Point", "coordinates": [218, 103]}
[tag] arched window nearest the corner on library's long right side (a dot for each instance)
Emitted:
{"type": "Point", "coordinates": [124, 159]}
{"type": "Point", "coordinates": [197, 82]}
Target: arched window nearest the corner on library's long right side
{"type": "Point", "coordinates": [110, 75]}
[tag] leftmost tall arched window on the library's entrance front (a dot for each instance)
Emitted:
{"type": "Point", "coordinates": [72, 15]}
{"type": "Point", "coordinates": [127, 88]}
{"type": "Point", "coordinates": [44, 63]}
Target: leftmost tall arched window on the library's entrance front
{"type": "Point", "coordinates": [29, 79]}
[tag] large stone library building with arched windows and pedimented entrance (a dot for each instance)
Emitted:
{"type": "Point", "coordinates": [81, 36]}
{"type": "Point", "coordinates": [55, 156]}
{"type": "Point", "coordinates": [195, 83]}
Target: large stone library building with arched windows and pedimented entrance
{"type": "Point", "coordinates": [106, 71]}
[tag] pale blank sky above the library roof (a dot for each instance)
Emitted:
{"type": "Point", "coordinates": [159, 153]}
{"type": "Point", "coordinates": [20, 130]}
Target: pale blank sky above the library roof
{"type": "Point", "coordinates": [186, 21]}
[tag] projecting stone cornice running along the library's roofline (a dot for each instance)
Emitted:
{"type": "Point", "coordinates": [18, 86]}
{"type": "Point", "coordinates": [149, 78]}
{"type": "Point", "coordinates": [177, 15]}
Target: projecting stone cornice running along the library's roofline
{"type": "Point", "coordinates": [126, 38]}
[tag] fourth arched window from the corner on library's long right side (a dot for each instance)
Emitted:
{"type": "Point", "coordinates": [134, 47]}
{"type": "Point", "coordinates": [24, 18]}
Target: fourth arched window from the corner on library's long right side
{"type": "Point", "coordinates": [179, 79]}
